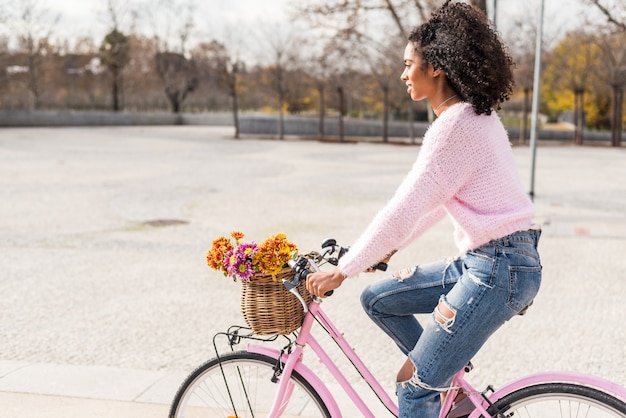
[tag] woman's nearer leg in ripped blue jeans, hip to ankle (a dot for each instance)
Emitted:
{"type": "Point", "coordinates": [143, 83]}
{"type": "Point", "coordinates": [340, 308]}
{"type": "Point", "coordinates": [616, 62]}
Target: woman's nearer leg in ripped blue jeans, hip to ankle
{"type": "Point", "coordinates": [497, 282]}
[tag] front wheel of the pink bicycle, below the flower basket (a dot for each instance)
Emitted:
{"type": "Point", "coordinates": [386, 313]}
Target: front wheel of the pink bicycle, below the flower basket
{"type": "Point", "coordinates": [242, 385]}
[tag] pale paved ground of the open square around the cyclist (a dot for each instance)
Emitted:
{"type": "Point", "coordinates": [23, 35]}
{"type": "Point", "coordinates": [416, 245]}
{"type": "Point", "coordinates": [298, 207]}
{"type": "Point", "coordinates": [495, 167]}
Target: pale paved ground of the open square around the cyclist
{"type": "Point", "coordinates": [103, 313]}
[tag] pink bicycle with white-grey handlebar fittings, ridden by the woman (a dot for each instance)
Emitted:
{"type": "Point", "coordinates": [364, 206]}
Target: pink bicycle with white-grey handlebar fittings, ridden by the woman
{"type": "Point", "coordinates": [263, 381]}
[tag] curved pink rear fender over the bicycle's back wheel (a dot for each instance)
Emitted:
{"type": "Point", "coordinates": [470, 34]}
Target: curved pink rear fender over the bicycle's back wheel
{"type": "Point", "coordinates": [557, 377]}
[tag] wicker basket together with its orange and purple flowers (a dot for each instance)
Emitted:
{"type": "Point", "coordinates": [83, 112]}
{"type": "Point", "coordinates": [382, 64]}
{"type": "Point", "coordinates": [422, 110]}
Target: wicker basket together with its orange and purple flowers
{"type": "Point", "coordinates": [267, 307]}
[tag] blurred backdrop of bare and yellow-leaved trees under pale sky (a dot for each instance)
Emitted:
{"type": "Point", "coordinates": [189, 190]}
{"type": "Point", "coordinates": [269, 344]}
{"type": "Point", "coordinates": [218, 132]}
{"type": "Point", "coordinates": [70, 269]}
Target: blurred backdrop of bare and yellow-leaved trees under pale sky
{"type": "Point", "coordinates": [317, 59]}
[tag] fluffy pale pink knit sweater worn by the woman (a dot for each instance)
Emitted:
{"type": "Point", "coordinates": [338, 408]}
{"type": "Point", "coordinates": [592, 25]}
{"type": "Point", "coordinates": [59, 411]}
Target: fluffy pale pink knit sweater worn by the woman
{"type": "Point", "coordinates": [465, 168]}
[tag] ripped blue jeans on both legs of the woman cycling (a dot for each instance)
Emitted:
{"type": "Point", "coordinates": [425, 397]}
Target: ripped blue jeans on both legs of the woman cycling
{"type": "Point", "coordinates": [468, 299]}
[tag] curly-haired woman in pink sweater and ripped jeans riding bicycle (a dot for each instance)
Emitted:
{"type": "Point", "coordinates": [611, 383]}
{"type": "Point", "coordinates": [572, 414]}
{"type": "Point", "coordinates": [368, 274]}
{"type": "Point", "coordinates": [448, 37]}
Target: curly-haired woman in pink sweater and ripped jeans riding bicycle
{"type": "Point", "coordinates": [465, 170]}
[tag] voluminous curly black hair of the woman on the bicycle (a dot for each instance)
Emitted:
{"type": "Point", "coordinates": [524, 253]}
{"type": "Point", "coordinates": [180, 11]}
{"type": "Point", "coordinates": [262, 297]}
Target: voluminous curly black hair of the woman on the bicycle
{"type": "Point", "coordinates": [459, 40]}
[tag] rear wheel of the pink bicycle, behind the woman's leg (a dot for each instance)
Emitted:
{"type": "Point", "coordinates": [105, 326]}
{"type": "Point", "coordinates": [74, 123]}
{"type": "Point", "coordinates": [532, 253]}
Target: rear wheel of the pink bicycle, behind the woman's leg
{"type": "Point", "coordinates": [553, 400]}
